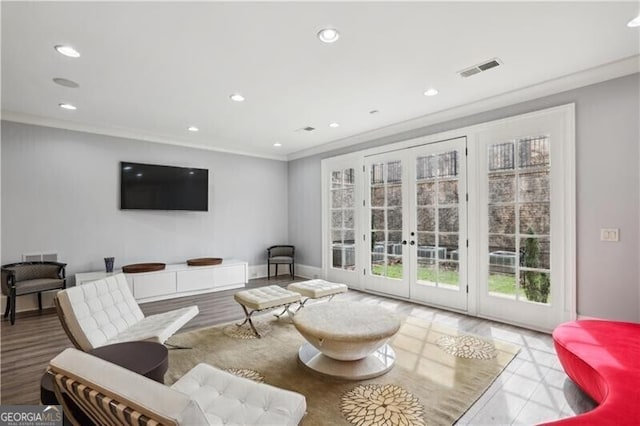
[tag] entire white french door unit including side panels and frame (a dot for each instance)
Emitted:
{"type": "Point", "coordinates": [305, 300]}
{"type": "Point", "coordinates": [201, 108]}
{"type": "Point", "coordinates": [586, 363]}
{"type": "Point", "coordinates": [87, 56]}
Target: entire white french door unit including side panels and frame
{"type": "Point", "coordinates": [483, 223]}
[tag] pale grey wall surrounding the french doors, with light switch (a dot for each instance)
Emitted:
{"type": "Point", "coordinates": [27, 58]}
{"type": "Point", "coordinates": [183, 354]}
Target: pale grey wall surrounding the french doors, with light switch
{"type": "Point", "coordinates": [608, 191]}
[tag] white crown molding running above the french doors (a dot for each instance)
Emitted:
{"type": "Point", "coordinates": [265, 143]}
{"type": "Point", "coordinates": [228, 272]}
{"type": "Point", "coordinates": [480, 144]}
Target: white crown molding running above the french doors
{"type": "Point", "coordinates": [583, 78]}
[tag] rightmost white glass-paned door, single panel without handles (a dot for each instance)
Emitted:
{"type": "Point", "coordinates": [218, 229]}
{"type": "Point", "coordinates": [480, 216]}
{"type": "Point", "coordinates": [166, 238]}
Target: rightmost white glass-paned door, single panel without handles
{"type": "Point", "coordinates": [524, 222]}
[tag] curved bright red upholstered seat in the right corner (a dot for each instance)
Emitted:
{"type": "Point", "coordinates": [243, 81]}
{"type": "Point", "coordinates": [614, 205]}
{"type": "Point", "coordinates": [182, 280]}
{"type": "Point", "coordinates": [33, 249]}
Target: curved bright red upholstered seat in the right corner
{"type": "Point", "coordinates": [603, 359]}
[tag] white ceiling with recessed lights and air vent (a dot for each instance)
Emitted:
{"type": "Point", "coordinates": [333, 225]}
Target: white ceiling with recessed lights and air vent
{"type": "Point", "coordinates": [153, 69]}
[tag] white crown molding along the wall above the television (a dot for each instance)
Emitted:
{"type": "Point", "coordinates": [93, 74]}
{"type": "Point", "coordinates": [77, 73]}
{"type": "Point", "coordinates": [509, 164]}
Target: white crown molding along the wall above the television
{"type": "Point", "coordinates": [123, 133]}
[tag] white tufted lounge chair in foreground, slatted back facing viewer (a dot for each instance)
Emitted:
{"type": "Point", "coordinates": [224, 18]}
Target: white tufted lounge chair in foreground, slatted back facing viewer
{"type": "Point", "coordinates": [203, 396]}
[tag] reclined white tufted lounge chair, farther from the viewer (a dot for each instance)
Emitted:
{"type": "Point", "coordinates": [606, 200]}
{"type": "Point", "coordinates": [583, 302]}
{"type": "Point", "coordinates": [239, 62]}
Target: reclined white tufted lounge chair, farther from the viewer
{"type": "Point", "coordinates": [105, 312]}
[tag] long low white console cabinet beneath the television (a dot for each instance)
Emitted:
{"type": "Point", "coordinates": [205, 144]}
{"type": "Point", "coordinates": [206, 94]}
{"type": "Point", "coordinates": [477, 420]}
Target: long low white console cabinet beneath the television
{"type": "Point", "coordinates": [179, 280]}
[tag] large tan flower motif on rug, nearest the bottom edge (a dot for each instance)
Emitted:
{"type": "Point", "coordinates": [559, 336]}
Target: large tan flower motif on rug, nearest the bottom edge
{"type": "Point", "coordinates": [374, 404]}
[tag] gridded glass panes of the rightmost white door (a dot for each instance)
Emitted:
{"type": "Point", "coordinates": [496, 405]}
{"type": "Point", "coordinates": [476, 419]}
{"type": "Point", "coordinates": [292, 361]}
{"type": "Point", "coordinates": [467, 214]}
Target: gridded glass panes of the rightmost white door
{"type": "Point", "coordinates": [519, 219]}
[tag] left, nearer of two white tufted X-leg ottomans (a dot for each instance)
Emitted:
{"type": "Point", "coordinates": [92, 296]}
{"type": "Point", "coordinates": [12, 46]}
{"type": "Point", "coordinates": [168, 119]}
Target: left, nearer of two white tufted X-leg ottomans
{"type": "Point", "coordinates": [262, 298]}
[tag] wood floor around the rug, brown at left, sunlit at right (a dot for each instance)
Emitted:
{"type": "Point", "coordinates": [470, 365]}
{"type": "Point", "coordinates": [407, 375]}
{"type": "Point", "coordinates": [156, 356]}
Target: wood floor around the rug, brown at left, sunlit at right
{"type": "Point", "coordinates": [532, 389]}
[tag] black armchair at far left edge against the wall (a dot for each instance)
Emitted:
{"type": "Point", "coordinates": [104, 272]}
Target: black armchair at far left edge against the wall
{"type": "Point", "coordinates": [23, 278]}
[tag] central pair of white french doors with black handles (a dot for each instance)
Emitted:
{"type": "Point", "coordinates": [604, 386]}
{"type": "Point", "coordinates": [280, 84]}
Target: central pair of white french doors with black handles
{"type": "Point", "coordinates": [416, 222]}
